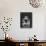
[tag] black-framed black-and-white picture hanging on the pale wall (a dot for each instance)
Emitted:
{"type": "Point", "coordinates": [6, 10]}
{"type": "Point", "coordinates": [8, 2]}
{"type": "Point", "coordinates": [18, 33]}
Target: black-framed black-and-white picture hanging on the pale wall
{"type": "Point", "coordinates": [26, 19]}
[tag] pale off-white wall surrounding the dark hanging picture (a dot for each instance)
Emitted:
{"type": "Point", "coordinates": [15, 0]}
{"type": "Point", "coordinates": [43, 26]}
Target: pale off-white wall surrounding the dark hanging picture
{"type": "Point", "coordinates": [12, 8]}
